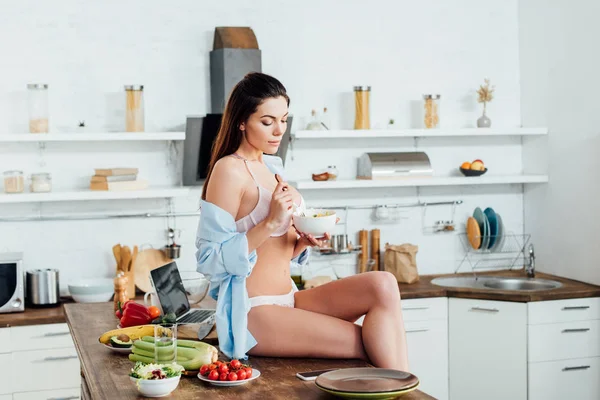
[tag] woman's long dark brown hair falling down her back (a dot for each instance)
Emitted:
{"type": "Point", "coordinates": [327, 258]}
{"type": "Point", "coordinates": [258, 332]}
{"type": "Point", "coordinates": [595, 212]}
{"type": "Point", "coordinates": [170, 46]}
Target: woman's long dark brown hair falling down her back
{"type": "Point", "coordinates": [243, 101]}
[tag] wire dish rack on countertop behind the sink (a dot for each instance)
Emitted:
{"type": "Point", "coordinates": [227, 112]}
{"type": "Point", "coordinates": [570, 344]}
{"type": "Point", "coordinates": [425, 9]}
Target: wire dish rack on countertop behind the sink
{"type": "Point", "coordinates": [511, 252]}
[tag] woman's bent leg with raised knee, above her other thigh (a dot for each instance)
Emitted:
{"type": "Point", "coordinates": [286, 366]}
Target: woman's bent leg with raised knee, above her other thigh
{"type": "Point", "coordinates": [375, 294]}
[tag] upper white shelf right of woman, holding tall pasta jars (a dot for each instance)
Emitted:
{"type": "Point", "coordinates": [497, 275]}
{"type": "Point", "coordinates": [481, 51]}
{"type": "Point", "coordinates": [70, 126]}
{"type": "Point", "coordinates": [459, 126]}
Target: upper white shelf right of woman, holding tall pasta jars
{"type": "Point", "coordinates": [399, 133]}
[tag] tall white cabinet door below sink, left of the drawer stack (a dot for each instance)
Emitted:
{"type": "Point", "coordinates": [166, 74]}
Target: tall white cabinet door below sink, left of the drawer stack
{"type": "Point", "coordinates": [488, 350]}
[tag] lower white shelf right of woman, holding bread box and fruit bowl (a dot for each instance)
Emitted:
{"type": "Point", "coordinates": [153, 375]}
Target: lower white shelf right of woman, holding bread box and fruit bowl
{"type": "Point", "coordinates": [420, 181]}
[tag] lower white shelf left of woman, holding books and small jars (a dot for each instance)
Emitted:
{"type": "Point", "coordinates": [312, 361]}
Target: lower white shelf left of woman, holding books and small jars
{"type": "Point", "coordinates": [151, 193]}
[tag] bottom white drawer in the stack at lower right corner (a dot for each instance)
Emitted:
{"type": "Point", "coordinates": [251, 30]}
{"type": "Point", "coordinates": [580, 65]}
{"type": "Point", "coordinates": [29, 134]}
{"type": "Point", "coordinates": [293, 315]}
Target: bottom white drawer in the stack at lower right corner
{"type": "Point", "coordinates": [568, 379]}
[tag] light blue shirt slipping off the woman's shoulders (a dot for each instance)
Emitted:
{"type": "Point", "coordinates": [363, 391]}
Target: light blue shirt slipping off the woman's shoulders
{"type": "Point", "coordinates": [223, 257]}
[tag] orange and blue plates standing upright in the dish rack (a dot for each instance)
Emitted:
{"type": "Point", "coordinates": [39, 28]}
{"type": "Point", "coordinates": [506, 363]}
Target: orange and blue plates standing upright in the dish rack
{"type": "Point", "coordinates": [485, 230]}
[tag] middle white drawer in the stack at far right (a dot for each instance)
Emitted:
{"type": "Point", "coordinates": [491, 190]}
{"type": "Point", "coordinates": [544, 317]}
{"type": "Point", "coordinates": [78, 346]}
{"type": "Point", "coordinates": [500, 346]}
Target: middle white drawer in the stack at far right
{"type": "Point", "coordinates": [577, 339]}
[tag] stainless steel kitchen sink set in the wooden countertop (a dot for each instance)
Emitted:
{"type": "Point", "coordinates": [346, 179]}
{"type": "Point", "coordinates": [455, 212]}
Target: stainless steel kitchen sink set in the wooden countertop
{"type": "Point", "coordinates": [497, 283]}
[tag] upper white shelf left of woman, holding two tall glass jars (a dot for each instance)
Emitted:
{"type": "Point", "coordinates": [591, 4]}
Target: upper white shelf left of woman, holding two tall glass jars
{"type": "Point", "coordinates": [91, 137]}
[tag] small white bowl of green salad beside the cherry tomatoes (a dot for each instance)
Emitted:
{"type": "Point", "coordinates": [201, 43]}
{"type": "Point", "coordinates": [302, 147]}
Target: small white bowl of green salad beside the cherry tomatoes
{"type": "Point", "coordinates": [155, 380]}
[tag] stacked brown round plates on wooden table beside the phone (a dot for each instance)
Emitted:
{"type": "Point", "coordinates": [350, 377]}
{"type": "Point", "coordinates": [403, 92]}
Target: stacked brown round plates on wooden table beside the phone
{"type": "Point", "coordinates": [367, 383]}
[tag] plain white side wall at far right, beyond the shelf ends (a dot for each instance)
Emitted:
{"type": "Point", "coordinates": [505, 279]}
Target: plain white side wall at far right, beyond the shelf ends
{"type": "Point", "coordinates": [559, 90]}
